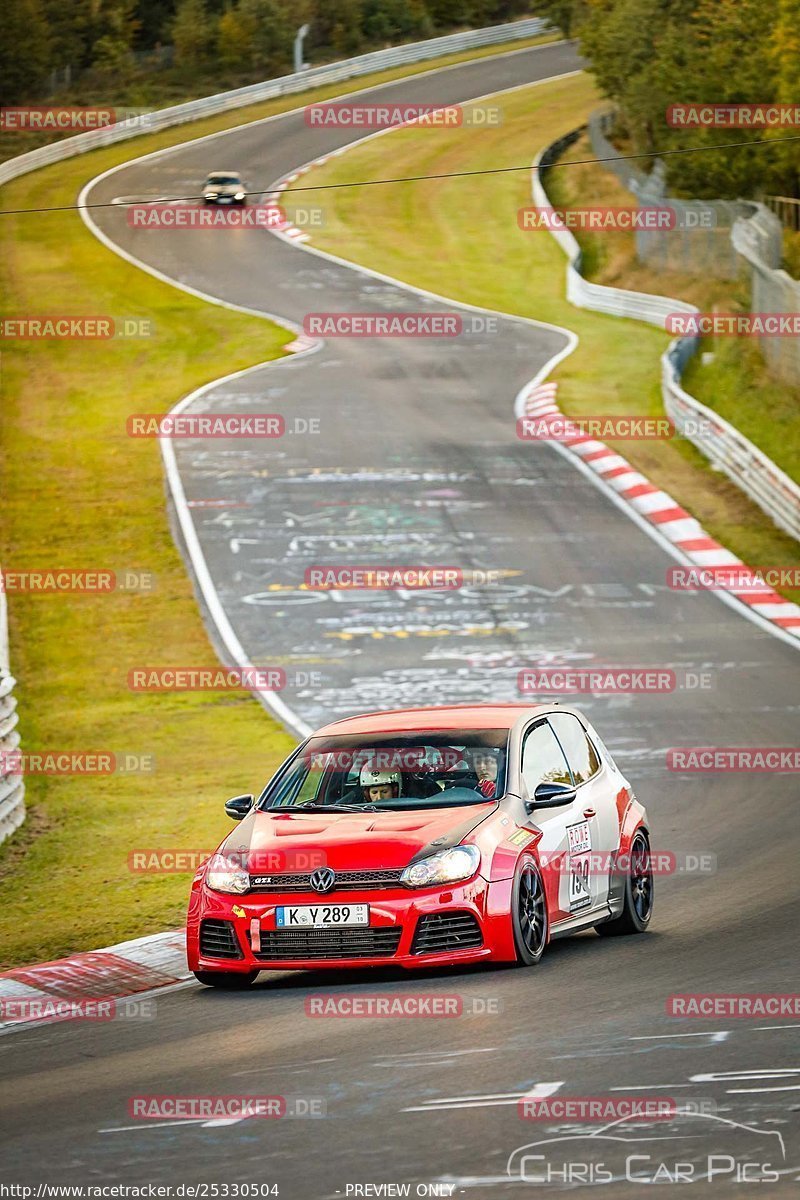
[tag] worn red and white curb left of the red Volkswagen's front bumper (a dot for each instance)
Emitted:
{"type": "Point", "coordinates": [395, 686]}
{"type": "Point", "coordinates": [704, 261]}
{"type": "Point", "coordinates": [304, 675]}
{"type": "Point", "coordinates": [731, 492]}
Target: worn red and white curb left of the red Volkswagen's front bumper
{"type": "Point", "coordinates": [88, 986]}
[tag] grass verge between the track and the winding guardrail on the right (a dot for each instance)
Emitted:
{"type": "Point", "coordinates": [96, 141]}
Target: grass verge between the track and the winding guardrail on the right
{"type": "Point", "coordinates": [467, 245]}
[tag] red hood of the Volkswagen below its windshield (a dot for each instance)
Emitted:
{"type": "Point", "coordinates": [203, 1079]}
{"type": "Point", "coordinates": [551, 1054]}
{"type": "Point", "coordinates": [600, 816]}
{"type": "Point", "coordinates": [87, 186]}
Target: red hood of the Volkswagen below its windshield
{"type": "Point", "coordinates": [298, 842]}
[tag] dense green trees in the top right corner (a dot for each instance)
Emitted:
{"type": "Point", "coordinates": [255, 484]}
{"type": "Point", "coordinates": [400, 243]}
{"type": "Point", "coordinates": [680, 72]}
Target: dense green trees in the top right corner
{"type": "Point", "coordinates": [648, 56]}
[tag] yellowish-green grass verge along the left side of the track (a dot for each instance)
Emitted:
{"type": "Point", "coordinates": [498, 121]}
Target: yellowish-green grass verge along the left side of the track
{"type": "Point", "coordinates": [80, 494]}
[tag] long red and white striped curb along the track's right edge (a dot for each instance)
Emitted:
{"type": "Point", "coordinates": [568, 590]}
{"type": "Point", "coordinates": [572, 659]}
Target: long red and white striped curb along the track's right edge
{"type": "Point", "coordinates": [660, 511]}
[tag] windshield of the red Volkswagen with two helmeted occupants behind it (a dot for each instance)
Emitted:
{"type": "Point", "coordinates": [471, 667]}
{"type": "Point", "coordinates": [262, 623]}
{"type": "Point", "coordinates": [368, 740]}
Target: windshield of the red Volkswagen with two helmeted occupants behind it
{"type": "Point", "coordinates": [426, 770]}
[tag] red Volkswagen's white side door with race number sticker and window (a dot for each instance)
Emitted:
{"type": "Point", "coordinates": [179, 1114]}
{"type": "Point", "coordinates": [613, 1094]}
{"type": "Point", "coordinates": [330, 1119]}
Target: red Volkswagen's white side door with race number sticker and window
{"type": "Point", "coordinates": [564, 865]}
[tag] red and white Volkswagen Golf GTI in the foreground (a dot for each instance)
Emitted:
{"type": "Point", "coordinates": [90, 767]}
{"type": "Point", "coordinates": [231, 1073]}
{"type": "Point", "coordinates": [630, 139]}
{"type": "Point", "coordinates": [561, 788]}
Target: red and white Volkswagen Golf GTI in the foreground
{"type": "Point", "coordinates": [420, 838]}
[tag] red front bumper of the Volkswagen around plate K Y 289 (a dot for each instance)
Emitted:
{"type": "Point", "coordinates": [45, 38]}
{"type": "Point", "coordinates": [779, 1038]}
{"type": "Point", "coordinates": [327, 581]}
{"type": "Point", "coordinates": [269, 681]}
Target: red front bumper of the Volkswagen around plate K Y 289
{"type": "Point", "coordinates": [395, 922]}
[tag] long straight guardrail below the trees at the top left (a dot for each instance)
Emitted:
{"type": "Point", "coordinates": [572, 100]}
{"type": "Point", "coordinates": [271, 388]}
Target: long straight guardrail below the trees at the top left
{"type": "Point", "coordinates": [304, 81]}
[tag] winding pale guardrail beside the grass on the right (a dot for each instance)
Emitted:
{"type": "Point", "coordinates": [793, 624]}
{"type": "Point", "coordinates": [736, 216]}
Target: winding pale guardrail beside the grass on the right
{"type": "Point", "coordinates": [744, 464]}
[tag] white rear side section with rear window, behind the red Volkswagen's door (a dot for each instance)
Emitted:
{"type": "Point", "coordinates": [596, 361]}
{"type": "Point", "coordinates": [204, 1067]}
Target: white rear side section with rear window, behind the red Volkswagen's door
{"type": "Point", "coordinates": [596, 805]}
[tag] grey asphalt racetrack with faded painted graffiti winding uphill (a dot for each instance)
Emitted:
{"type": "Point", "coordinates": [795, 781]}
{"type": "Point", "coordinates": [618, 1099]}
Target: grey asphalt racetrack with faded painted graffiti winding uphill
{"type": "Point", "coordinates": [418, 459]}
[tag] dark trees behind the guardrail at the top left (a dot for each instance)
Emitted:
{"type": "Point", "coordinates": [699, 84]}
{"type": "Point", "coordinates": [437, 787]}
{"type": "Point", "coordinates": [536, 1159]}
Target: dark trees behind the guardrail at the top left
{"type": "Point", "coordinates": [112, 49]}
